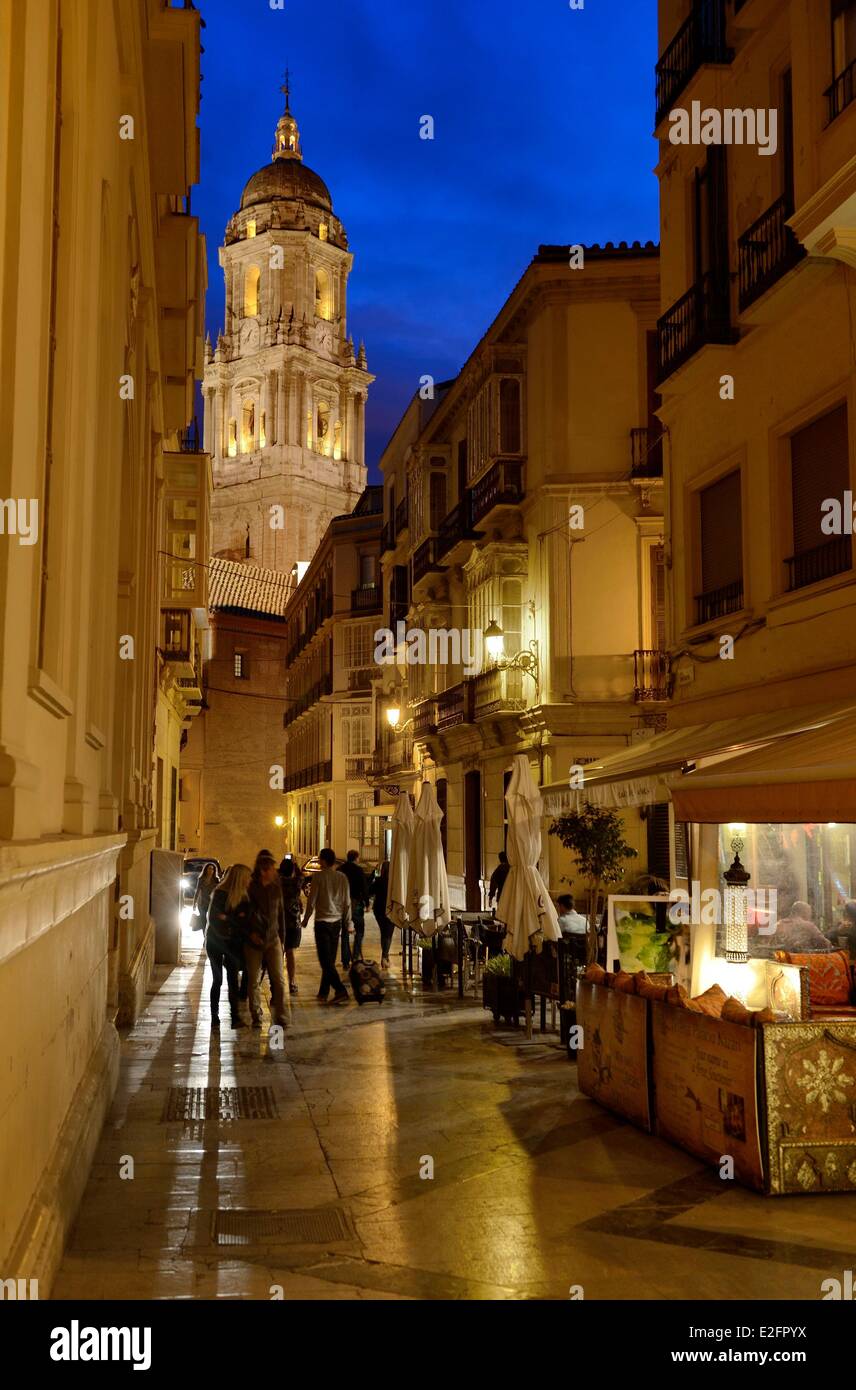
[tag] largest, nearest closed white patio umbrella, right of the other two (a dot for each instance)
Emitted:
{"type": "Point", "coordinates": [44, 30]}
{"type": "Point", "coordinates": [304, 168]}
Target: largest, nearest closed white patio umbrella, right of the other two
{"type": "Point", "coordinates": [526, 906]}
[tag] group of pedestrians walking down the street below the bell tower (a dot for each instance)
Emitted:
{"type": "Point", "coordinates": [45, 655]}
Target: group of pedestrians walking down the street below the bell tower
{"type": "Point", "coordinates": [255, 919]}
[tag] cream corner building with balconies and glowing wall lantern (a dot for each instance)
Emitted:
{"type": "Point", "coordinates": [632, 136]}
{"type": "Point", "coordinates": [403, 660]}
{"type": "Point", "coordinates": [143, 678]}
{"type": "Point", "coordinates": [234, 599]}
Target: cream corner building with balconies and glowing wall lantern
{"type": "Point", "coordinates": [527, 498]}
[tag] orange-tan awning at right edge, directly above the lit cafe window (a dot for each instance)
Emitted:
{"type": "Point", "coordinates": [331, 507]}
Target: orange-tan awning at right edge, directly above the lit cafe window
{"type": "Point", "coordinates": [804, 778]}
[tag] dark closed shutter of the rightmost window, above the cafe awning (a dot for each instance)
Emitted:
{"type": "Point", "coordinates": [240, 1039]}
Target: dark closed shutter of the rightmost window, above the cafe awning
{"type": "Point", "coordinates": [819, 469]}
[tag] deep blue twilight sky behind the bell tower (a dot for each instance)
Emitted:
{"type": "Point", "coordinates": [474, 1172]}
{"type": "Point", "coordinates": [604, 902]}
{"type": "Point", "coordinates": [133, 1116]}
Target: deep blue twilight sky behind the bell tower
{"type": "Point", "coordinates": [544, 123]}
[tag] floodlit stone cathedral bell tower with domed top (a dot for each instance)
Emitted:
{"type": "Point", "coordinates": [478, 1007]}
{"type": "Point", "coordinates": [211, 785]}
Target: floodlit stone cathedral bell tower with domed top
{"type": "Point", "coordinates": [284, 391]}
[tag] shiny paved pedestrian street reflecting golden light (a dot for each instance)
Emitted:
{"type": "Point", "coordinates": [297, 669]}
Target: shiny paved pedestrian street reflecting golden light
{"type": "Point", "coordinates": [536, 1189]}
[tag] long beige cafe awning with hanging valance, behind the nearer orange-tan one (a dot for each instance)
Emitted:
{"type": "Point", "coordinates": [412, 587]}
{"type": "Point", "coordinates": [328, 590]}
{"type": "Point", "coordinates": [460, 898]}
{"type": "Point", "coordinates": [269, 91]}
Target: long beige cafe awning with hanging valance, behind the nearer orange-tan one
{"type": "Point", "coordinates": [655, 771]}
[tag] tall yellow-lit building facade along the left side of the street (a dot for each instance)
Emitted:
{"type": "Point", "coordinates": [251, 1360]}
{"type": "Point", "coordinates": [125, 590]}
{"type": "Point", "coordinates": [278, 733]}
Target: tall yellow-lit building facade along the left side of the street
{"type": "Point", "coordinates": [102, 284]}
